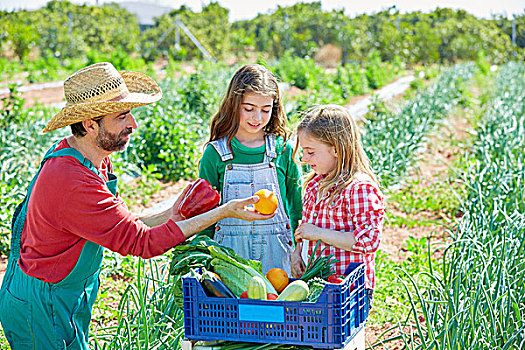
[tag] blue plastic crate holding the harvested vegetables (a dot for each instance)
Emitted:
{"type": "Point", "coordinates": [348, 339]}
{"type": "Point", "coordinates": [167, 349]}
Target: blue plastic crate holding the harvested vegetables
{"type": "Point", "coordinates": [331, 322]}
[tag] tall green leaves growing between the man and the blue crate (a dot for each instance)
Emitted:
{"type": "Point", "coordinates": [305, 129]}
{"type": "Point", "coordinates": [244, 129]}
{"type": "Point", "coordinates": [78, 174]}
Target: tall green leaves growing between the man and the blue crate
{"type": "Point", "coordinates": [146, 316]}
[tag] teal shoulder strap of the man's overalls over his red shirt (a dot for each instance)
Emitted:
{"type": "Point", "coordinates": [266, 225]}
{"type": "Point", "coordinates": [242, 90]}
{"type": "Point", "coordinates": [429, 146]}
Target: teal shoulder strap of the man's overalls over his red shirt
{"type": "Point", "coordinates": [19, 217]}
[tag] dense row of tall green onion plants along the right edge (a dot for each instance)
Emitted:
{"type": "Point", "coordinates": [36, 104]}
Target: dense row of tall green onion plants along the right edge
{"type": "Point", "coordinates": [478, 300]}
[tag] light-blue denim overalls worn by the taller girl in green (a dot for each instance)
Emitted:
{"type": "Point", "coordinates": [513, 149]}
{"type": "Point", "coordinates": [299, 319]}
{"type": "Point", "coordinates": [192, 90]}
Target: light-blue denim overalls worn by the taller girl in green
{"type": "Point", "coordinates": [269, 241]}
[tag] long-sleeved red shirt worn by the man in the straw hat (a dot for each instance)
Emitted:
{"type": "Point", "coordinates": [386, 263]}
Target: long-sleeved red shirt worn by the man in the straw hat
{"type": "Point", "coordinates": [70, 205]}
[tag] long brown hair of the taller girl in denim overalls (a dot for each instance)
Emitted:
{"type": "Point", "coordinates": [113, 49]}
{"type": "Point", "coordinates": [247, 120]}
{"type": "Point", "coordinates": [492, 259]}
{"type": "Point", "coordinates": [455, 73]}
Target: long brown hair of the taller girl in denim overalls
{"type": "Point", "coordinates": [249, 78]}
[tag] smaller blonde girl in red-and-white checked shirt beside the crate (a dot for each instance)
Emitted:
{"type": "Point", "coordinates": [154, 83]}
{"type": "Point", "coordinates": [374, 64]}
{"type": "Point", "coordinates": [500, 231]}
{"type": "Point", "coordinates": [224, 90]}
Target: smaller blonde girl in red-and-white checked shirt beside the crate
{"type": "Point", "coordinates": [342, 204]}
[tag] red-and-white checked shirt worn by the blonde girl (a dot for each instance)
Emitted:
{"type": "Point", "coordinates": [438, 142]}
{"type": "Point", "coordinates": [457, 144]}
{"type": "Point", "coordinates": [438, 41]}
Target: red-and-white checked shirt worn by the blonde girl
{"type": "Point", "coordinates": [358, 210]}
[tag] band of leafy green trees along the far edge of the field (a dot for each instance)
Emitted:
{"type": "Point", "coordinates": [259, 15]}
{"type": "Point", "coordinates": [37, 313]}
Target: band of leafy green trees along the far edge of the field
{"type": "Point", "coordinates": [65, 31]}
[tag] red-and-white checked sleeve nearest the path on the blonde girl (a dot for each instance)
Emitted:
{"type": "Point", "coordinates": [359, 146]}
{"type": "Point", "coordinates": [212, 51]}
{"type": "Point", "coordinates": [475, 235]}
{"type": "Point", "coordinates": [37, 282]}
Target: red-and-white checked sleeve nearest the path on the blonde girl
{"type": "Point", "coordinates": [367, 214]}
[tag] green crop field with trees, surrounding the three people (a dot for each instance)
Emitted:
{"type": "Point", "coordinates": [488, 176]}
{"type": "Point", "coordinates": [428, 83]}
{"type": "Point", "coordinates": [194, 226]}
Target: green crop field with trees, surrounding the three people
{"type": "Point", "coordinates": [449, 154]}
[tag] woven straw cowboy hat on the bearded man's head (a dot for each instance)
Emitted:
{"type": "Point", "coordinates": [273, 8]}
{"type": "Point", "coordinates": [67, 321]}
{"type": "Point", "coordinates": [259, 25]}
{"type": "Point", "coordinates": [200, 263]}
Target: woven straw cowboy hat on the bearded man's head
{"type": "Point", "coordinates": [100, 89]}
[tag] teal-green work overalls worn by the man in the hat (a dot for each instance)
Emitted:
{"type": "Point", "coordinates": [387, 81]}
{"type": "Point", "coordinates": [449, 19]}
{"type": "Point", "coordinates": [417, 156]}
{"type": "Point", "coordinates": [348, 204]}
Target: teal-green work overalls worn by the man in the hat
{"type": "Point", "coordinates": [41, 315]}
